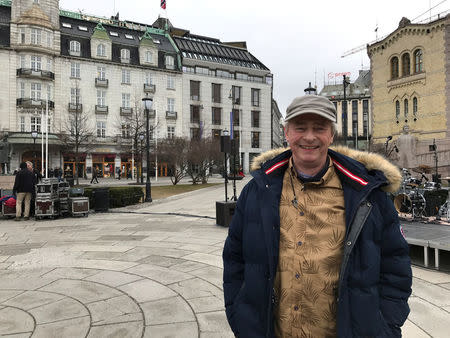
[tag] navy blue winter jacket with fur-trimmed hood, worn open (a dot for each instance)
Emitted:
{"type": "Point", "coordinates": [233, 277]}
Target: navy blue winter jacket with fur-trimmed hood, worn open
{"type": "Point", "coordinates": [375, 277]}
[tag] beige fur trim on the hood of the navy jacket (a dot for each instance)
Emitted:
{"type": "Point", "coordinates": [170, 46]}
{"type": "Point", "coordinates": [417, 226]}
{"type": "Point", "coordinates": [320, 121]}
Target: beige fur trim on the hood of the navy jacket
{"type": "Point", "coordinates": [371, 161]}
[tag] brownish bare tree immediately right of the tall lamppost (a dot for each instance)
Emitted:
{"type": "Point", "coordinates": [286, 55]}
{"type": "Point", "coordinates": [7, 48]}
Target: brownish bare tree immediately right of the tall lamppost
{"type": "Point", "coordinates": [174, 152]}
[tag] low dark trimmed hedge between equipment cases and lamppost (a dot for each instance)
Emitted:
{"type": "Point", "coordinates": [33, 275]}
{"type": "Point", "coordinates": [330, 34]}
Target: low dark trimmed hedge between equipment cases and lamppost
{"type": "Point", "coordinates": [118, 196]}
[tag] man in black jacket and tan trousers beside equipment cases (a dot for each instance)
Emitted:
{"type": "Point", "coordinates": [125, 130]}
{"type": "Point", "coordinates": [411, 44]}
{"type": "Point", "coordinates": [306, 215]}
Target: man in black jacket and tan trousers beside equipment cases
{"type": "Point", "coordinates": [24, 186]}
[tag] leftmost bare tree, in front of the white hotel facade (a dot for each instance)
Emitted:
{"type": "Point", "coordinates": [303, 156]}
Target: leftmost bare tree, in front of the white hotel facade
{"type": "Point", "coordinates": [77, 132]}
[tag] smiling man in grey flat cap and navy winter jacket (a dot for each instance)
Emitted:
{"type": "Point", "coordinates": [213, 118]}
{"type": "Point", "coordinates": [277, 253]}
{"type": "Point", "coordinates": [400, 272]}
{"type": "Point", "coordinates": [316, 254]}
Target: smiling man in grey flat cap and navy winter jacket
{"type": "Point", "coordinates": [315, 248]}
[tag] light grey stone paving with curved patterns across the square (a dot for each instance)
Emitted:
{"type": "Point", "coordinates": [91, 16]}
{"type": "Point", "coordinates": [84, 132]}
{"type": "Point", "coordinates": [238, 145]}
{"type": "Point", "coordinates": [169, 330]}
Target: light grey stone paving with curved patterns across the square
{"type": "Point", "coordinates": [142, 272]}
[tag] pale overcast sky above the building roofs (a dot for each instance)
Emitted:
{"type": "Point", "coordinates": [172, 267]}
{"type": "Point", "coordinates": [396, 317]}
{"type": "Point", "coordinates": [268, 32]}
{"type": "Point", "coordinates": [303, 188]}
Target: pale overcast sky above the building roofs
{"type": "Point", "coordinates": [299, 41]}
